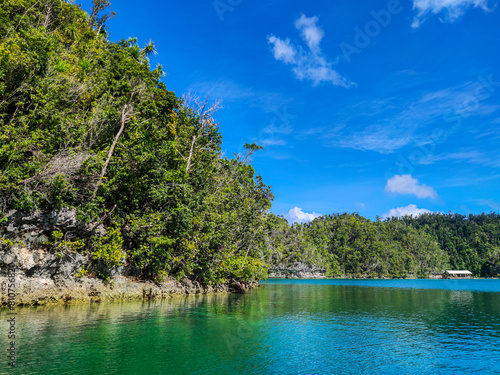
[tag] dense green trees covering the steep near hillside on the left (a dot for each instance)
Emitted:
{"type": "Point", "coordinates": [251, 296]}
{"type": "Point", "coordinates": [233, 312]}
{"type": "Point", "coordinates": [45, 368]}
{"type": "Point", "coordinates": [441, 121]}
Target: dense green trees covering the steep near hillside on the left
{"type": "Point", "coordinates": [86, 123]}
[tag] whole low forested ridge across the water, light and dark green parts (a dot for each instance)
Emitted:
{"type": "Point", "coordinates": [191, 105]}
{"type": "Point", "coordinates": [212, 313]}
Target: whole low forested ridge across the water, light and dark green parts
{"type": "Point", "coordinates": [399, 247]}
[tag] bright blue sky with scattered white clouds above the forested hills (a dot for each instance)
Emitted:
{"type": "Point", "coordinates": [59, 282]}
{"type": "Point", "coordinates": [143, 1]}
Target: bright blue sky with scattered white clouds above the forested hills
{"type": "Point", "coordinates": [377, 107]}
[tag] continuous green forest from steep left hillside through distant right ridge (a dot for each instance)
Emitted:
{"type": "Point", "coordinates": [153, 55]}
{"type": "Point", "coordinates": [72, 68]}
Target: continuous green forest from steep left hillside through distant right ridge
{"type": "Point", "coordinates": [87, 125]}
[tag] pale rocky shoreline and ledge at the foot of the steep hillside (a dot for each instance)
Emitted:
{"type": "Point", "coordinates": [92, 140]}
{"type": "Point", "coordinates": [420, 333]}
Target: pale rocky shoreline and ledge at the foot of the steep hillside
{"type": "Point", "coordinates": [46, 277]}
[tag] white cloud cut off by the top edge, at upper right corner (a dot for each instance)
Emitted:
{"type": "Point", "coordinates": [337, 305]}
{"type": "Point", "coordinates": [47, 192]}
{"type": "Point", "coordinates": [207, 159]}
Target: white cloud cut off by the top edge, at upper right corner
{"type": "Point", "coordinates": [447, 10]}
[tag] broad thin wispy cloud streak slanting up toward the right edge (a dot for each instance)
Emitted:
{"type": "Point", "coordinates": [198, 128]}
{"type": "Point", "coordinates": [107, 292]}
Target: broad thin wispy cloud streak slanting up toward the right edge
{"type": "Point", "coordinates": [396, 122]}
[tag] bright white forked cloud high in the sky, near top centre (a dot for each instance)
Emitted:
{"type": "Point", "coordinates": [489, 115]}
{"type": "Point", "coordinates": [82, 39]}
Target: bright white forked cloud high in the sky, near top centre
{"type": "Point", "coordinates": [308, 64]}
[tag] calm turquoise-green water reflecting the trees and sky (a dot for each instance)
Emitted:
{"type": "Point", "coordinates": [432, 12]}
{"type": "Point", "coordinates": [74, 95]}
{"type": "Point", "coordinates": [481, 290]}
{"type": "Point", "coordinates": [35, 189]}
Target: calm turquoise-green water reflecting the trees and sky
{"type": "Point", "coordinates": [284, 327]}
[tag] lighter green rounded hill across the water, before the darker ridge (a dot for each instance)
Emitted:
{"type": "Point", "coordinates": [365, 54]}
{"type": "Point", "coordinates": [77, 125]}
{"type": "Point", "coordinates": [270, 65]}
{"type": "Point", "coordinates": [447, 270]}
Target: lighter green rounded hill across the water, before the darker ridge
{"type": "Point", "coordinates": [356, 247]}
